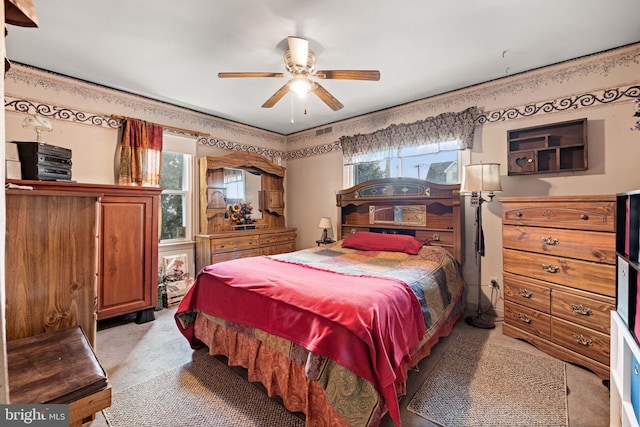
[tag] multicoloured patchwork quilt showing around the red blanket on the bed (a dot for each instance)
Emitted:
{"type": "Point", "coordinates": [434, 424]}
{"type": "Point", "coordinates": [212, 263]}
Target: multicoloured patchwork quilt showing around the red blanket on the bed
{"type": "Point", "coordinates": [433, 276]}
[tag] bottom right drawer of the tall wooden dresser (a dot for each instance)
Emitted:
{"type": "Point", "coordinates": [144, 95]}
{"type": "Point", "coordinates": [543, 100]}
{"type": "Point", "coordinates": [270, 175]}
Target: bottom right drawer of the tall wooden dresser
{"type": "Point", "coordinates": [588, 342]}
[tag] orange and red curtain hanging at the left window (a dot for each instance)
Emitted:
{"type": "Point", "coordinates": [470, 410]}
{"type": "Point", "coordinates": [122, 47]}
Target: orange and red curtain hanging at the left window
{"type": "Point", "coordinates": [141, 153]}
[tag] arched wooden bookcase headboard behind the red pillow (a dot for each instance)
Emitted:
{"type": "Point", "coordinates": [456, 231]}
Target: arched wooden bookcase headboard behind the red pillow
{"type": "Point", "coordinates": [426, 210]}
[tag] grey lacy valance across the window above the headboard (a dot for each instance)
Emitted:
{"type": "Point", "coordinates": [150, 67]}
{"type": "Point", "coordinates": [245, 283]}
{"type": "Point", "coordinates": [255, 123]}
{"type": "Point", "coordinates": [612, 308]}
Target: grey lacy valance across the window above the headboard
{"type": "Point", "coordinates": [447, 131]}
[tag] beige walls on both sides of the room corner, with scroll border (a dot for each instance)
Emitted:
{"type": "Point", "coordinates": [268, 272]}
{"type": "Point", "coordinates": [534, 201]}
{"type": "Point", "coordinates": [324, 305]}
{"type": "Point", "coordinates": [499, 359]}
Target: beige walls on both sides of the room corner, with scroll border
{"type": "Point", "coordinates": [600, 88]}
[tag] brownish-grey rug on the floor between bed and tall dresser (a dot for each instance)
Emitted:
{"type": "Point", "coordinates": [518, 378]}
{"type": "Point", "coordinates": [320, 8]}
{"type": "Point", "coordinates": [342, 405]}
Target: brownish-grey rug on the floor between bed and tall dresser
{"type": "Point", "coordinates": [484, 384]}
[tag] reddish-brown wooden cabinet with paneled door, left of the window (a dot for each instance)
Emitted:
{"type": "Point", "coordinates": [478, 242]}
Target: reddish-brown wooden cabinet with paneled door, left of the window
{"type": "Point", "coordinates": [127, 245]}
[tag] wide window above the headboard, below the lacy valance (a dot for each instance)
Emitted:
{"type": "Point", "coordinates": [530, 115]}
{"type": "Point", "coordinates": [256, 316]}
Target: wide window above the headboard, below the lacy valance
{"type": "Point", "coordinates": [411, 162]}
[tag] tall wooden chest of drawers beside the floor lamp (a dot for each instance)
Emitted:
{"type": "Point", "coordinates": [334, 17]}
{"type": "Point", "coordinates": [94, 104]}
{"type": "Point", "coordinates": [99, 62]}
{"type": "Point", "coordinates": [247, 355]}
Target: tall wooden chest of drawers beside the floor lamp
{"type": "Point", "coordinates": [559, 275]}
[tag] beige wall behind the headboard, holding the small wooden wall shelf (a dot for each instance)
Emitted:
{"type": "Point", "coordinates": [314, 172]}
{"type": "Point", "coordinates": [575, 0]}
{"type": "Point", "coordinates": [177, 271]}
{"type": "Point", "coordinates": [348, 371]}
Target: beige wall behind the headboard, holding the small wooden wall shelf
{"type": "Point", "coordinates": [600, 88]}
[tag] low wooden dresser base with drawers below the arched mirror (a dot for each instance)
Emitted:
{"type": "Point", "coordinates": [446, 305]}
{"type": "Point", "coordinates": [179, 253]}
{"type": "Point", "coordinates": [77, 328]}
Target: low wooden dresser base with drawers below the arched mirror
{"type": "Point", "coordinates": [224, 246]}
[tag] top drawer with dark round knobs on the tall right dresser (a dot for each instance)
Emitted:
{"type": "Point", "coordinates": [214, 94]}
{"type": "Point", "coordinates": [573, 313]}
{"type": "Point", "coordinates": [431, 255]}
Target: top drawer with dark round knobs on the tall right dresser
{"type": "Point", "coordinates": [579, 215]}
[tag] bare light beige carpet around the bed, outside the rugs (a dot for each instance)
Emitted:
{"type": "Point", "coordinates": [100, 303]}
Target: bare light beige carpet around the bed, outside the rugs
{"type": "Point", "coordinates": [133, 355]}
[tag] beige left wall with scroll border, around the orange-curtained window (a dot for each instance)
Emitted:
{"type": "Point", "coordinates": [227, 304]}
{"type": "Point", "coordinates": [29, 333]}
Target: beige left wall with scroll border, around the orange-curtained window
{"type": "Point", "coordinates": [81, 117]}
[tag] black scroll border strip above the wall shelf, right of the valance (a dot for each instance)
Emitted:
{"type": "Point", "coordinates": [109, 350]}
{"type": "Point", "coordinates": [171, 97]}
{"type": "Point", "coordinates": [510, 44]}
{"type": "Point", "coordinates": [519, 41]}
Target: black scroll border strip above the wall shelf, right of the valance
{"type": "Point", "coordinates": [607, 96]}
